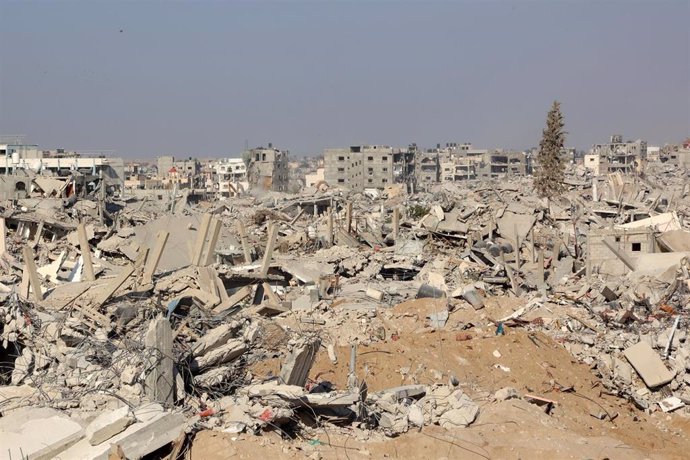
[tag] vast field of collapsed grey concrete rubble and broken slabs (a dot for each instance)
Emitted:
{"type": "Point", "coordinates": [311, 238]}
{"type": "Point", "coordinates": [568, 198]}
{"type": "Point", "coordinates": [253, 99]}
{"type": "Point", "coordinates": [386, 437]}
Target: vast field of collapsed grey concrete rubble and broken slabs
{"type": "Point", "coordinates": [132, 324]}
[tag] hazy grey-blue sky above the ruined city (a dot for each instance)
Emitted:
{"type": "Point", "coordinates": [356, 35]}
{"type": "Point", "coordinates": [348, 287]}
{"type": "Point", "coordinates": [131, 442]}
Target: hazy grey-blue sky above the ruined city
{"type": "Point", "coordinates": [200, 78]}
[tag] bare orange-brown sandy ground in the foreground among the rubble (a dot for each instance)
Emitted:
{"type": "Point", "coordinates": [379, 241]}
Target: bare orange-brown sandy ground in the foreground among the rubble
{"type": "Point", "coordinates": [531, 363]}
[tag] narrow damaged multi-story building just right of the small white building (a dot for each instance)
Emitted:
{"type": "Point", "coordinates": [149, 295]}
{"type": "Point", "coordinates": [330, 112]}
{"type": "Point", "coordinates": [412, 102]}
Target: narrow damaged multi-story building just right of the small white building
{"type": "Point", "coordinates": [268, 169]}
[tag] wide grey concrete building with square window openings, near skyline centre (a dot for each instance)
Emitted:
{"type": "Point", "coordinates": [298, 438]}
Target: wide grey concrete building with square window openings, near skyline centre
{"type": "Point", "coordinates": [369, 166]}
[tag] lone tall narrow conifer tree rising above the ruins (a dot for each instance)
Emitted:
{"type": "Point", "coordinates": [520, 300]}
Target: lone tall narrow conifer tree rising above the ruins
{"type": "Point", "coordinates": [548, 179]}
